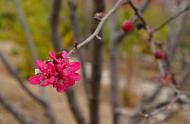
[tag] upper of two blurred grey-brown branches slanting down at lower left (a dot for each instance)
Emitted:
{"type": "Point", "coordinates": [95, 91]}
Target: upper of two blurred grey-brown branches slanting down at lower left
{"type": "Point", "coordinates": [38, 99]}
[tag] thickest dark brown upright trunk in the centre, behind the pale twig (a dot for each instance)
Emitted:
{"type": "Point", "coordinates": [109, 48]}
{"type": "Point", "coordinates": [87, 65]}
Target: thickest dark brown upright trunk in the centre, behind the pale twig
{"type": "Point", "coordinates": [97, 45]}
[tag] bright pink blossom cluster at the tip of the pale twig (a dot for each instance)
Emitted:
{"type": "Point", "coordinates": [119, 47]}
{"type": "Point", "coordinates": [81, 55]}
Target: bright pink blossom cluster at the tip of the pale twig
{"type": "Point", "coordinates": [58, 72]}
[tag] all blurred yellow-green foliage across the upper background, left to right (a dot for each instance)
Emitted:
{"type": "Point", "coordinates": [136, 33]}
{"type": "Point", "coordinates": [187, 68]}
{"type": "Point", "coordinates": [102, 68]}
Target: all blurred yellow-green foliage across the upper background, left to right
{"type": "Point", "coordinates": [37, 14]}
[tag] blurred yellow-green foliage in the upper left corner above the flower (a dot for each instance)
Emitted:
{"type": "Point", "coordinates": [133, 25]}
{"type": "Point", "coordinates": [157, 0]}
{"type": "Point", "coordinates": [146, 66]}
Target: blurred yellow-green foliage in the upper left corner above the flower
{"type": "Point", "coordinates": [37, 14]}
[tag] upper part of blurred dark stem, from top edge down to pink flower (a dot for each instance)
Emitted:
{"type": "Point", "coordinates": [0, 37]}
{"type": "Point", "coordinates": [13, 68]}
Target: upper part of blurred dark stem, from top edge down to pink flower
{"type": "Point", "coordinates": [54, 22]}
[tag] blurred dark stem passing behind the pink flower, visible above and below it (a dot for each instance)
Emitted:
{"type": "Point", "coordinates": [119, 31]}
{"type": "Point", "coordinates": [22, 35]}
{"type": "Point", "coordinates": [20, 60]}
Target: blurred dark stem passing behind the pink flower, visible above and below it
{"type": "Point", "coordinates": [70, 93]}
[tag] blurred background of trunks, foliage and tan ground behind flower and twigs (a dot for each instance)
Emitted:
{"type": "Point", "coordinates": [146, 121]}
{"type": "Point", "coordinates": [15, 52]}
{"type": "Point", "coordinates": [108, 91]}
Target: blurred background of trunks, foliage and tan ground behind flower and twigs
{"type": "Point", "coordinates": [118, 73]}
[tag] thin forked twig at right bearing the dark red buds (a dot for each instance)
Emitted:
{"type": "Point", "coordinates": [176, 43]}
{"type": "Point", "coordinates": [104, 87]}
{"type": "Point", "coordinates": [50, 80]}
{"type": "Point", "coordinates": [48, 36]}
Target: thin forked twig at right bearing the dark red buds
{"type": "Point", "coordinates": [163, 69]}
